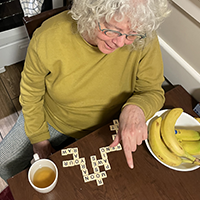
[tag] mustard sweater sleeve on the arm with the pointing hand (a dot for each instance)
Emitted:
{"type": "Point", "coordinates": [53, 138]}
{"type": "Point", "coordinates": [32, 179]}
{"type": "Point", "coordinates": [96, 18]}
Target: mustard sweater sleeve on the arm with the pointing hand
{"type": "Point", "coordinates": [148, 93]}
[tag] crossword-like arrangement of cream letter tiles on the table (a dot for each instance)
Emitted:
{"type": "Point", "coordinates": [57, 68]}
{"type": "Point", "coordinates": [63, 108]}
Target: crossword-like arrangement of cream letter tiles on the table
{"type": "Point", "coordinates": [98, 175]}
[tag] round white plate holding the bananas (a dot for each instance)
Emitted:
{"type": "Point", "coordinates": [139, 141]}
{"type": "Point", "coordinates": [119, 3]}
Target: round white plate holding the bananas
{"type": "Point", "coordinates": [184, 121]}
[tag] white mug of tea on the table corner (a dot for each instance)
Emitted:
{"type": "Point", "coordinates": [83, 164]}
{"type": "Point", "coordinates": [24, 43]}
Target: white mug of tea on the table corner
{"type": "Point", "coordinates": [43, 174]}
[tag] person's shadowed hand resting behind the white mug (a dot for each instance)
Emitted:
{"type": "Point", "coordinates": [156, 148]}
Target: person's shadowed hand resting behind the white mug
{"type": "Point", "coordinates": [43, 149]}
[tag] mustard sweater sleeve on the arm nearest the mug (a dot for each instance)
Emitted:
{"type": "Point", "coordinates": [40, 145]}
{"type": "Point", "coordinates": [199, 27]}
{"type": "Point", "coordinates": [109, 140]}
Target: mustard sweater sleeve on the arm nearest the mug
{"type": "Point", "coordinates": [32, 89]}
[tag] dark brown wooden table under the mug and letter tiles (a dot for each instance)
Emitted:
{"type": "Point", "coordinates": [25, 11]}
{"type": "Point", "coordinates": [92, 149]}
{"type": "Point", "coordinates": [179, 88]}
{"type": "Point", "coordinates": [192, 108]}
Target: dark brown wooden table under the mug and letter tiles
{"type": "Point", "coordinates": [149, 180]}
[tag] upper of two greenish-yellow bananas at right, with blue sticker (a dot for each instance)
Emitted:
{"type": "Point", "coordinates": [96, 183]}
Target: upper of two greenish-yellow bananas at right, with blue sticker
{"type": "Point", "coordinates": [184, 134]}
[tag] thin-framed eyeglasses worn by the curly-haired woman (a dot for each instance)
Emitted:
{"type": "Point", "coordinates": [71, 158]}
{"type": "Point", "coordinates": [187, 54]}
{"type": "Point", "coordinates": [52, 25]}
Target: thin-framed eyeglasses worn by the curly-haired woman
{"type": "Point", "coordinates": [112, 33]}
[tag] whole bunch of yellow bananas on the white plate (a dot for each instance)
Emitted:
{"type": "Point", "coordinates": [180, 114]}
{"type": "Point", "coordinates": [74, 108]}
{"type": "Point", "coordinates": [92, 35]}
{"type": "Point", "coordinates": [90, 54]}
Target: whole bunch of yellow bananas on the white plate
{"type": "Point", "coordinates": [173, 149]}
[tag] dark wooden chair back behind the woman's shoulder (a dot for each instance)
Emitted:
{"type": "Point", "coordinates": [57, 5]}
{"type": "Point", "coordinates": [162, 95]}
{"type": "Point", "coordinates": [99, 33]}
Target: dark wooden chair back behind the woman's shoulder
{"type": "Point", "coordinates": [32, 23]}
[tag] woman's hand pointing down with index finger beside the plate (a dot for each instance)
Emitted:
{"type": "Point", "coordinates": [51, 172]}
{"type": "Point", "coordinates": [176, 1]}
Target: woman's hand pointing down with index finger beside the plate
{"type": "Point", "coordinates": [132, 131]}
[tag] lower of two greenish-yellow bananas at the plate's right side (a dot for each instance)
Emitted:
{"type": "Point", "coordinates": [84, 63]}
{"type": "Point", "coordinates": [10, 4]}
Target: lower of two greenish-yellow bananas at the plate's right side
{"type": "Point", "coordinates": [192, 147]}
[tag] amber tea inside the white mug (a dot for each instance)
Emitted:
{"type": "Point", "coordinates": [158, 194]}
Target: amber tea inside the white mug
{"type": "Point", "coordinates": [44, 177]}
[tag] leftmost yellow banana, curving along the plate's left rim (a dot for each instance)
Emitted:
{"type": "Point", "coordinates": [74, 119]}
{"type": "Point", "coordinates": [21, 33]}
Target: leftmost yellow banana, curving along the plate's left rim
{"type": "Point", "coordinates": [159, 148]}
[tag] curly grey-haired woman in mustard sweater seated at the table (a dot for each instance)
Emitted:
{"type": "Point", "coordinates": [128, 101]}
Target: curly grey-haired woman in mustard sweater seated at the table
{"type": "Point", "coordinates": [83, 68]}
